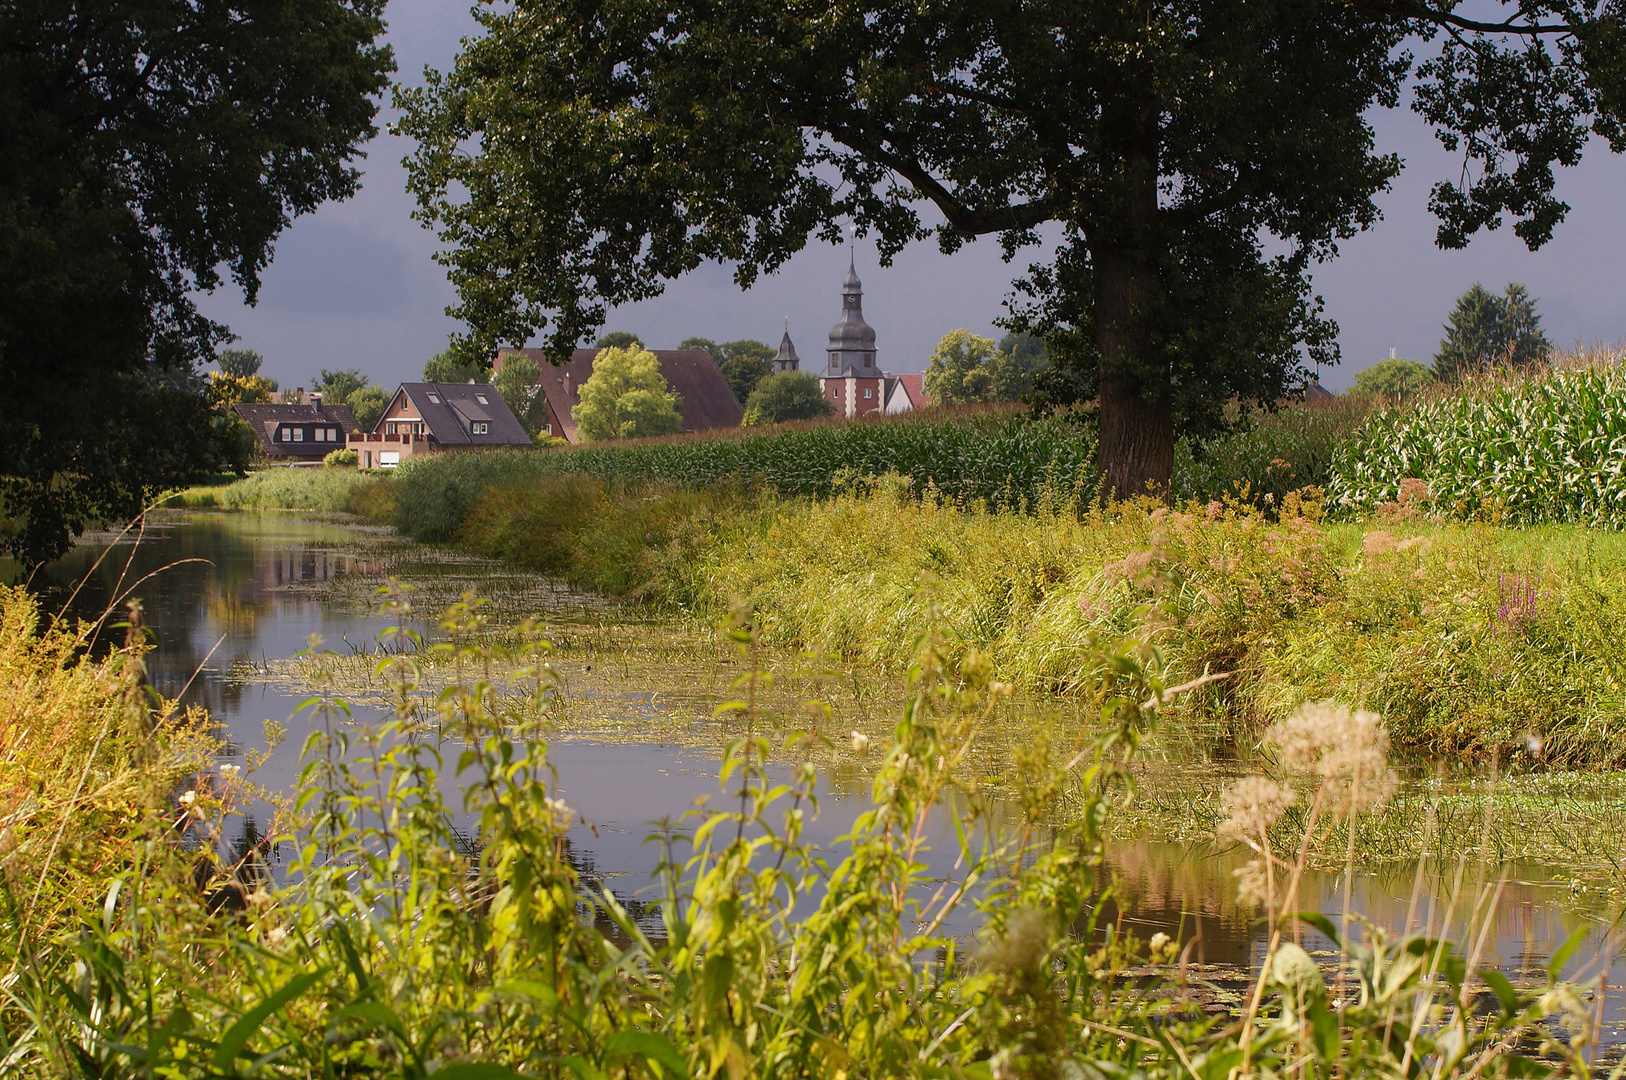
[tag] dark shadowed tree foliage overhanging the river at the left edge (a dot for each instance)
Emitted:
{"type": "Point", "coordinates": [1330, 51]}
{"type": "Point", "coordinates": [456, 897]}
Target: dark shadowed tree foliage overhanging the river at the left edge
{"type": "Point", "coordinates": [152, 149]}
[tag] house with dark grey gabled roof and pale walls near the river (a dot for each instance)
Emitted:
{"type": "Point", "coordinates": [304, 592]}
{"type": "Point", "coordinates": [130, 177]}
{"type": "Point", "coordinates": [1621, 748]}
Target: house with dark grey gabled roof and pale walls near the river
{"type": "Point", "coordinates": [433, 417]}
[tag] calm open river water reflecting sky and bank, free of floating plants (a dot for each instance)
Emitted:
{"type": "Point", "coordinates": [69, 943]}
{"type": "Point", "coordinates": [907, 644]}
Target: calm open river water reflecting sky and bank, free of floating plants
{"type": "Point", "coordinates": [227, 594]}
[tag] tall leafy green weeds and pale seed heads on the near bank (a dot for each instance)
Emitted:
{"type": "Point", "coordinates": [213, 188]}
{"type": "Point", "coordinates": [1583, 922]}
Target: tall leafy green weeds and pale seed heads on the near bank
{"type": "Point", "coordinates": [401, 949]}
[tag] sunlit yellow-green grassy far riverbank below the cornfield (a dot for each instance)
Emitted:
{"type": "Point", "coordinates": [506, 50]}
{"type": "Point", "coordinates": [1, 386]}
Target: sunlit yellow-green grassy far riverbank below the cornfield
{"type": "Point", "coordinates": [1474, 642]}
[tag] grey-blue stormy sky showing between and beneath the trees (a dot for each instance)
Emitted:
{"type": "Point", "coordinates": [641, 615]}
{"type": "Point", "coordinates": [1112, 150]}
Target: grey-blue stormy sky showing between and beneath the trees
{"type": "Point", "coordinates": [354, 285]}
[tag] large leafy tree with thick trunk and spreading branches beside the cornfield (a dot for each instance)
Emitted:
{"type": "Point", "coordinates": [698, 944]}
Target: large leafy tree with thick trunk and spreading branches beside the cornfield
{"type": "Point", "coordinates": [1194, 160]}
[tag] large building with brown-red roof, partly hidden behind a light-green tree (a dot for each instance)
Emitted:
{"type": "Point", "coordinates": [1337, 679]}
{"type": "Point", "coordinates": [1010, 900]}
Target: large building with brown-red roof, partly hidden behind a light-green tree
{"type": "Point", "coordinates": [692, 375]}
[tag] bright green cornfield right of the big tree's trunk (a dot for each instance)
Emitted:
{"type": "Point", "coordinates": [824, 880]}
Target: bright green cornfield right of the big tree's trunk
{"type": "Point", "coordinates": [1547, 450]}
